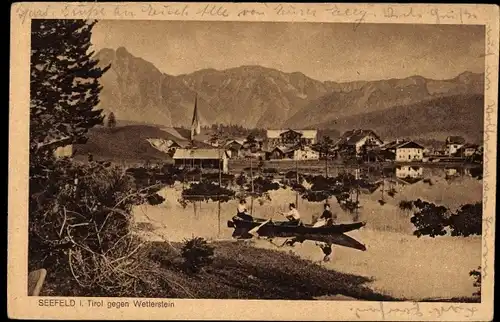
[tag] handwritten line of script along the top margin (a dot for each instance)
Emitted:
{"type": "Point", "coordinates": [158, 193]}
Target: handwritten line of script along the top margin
{"type": "Point", "coordinates": [353, 14]}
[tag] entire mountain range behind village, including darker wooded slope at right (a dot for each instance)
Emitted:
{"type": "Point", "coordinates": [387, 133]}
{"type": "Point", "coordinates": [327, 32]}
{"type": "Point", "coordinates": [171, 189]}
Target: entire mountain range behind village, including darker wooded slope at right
{"type": "Point", "coordinates": [258, 97]}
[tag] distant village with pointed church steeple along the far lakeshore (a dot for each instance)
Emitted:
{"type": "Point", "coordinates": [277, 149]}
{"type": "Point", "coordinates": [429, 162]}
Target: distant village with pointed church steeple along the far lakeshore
{"type": "Point", "coordinates": [216, 149]}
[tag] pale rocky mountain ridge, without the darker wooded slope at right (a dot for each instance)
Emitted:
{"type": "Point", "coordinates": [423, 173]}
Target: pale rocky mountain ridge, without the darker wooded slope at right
{"type": "Point", "coordinates": [256, 96]}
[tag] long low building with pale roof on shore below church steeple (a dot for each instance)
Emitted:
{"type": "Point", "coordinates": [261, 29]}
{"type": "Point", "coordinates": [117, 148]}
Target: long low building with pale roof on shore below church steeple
{"type": "Point", "coordinates": [201, 158]}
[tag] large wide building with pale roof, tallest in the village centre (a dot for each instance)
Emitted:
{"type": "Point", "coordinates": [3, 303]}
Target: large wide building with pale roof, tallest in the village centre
{"type": "Point", "coordinates": [290, 137]}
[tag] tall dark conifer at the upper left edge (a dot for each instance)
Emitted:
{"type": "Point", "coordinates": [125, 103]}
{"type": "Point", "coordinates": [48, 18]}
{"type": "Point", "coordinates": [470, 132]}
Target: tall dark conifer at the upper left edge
{"type": "Point", "coordinates": [64, 84]}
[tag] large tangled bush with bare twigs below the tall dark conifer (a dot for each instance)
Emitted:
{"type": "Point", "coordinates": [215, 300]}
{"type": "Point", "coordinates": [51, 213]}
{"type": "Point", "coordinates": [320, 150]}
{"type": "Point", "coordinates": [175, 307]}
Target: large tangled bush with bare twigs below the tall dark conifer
{"type": "Point", "coordinates": [79, 225]}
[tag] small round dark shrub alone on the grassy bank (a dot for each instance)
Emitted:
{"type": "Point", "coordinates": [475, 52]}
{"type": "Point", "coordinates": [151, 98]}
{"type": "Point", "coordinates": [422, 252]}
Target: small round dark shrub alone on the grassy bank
{"type": "Point", "coordinates": [197, 254]}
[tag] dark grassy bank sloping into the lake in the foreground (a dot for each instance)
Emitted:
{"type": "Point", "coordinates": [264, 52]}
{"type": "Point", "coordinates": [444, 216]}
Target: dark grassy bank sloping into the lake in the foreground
{"type": "Point", "coordinates": [239, 271]}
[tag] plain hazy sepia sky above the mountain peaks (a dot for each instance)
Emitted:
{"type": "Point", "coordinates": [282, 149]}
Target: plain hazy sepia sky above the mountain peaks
{"type": "Point", "coordinates": [323, 51]}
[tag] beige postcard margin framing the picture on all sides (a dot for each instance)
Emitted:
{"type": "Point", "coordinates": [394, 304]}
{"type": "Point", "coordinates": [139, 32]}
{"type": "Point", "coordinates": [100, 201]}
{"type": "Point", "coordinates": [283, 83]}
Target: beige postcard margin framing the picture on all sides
{"type": "Point", "coordinates": [22, 306]}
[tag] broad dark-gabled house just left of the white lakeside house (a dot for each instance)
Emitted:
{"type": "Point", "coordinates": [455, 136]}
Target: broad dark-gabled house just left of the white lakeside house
{"type": "Point", "coordinates": [356, 140]}
